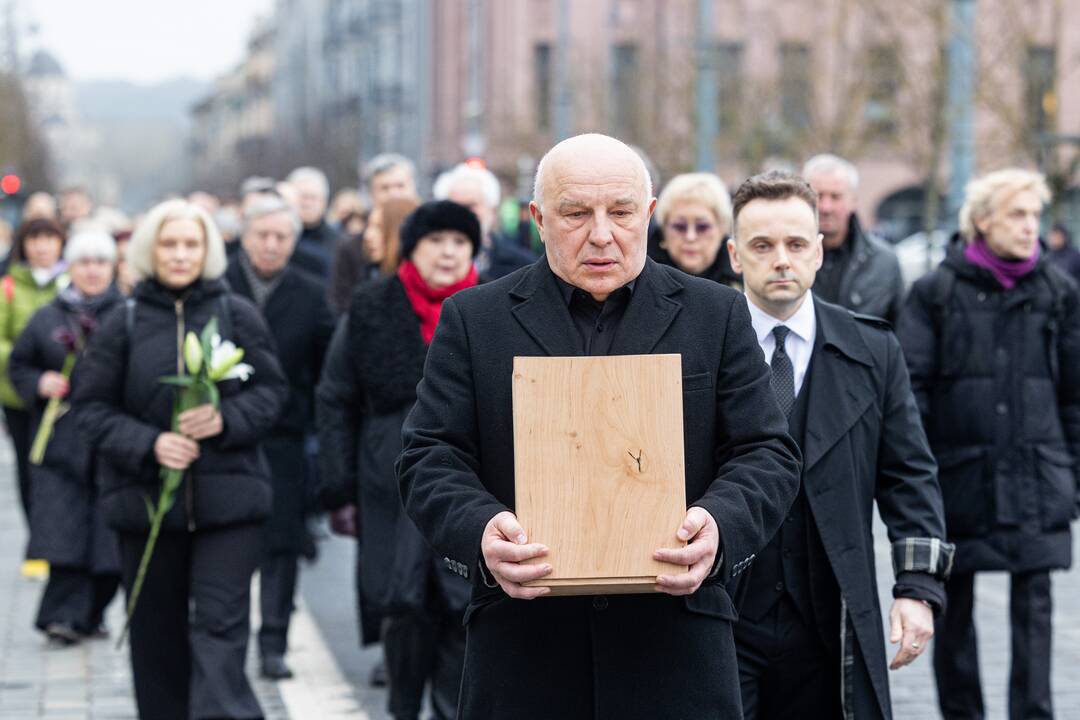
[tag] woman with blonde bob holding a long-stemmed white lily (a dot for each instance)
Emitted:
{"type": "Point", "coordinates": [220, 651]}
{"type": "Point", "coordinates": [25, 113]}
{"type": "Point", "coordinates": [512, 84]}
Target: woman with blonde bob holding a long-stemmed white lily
{"type": "Point", "coordinates": [150, 437]}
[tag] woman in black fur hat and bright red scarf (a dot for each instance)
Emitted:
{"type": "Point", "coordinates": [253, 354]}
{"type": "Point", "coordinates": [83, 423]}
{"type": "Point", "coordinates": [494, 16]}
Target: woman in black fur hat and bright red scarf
{"type": "Point", "coordinates": [368, 388]}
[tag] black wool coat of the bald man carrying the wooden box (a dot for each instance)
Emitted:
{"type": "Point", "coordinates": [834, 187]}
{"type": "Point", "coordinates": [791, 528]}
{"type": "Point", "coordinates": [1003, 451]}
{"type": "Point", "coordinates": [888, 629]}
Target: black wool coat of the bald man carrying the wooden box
{"type": "Point", "coordinates": [619, 657]}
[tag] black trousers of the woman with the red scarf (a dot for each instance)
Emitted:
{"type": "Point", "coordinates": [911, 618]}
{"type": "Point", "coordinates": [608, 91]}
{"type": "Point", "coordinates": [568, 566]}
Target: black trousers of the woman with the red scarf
{"type": "Point", "coordinates": [423, 647]}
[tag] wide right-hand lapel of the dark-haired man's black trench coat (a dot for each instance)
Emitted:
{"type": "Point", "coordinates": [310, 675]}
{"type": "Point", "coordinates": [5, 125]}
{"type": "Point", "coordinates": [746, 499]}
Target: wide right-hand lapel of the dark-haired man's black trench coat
{"type": "Point", "coordinates": [840, 389]}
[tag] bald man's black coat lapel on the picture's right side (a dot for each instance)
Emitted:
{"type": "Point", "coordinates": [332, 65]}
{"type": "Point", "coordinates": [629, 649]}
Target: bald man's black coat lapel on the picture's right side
{"type": "Point", "coordinates": [650, 315]}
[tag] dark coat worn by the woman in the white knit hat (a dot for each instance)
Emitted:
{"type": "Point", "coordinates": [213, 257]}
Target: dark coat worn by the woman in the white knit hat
{"type": "Point", "coordinates": [67, 523]}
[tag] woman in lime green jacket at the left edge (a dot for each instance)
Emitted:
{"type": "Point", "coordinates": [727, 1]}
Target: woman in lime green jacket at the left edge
{"type": "Point", "coordinates": [34, 279]}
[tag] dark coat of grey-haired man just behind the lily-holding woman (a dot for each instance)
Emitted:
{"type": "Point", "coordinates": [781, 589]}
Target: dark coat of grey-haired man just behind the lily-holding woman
{"type": "Point", "coordinates": [301, 324]}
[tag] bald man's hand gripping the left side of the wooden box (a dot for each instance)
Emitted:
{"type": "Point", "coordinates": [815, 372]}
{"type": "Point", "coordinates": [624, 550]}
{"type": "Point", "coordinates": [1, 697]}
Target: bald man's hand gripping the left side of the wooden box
{"type": "Point", "coordinates": [505, 548]}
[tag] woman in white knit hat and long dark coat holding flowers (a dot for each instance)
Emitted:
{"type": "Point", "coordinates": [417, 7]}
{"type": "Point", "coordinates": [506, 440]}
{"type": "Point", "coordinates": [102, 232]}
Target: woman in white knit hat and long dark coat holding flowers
{"type": "Point", "coordinates": [66, 526]}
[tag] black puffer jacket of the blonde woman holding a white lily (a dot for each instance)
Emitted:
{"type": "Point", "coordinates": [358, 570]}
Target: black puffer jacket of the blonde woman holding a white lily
{"type": "Point", "coordinates": [123, 406]}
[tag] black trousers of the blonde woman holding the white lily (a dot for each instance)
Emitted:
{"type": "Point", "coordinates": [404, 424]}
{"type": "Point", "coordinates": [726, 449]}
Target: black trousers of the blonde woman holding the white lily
{"type": "Point", "coordinates": [190, 633]}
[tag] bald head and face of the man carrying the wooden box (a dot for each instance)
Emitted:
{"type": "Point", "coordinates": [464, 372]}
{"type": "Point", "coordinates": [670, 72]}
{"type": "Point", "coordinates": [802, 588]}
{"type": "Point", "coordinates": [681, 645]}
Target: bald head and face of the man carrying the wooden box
{"type": "Point", "coordinates": [596, 218]}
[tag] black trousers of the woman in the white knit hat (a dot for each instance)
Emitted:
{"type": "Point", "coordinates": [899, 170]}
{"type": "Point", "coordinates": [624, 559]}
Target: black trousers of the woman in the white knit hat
{"type": "Point", "coordinates": [76, 599]}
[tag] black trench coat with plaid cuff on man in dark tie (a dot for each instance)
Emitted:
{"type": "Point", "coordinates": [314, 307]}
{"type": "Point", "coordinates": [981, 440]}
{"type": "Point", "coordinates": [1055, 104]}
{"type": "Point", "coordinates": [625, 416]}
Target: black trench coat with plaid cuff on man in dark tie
{"type": "Point", "coordinates": [865, 443]}
